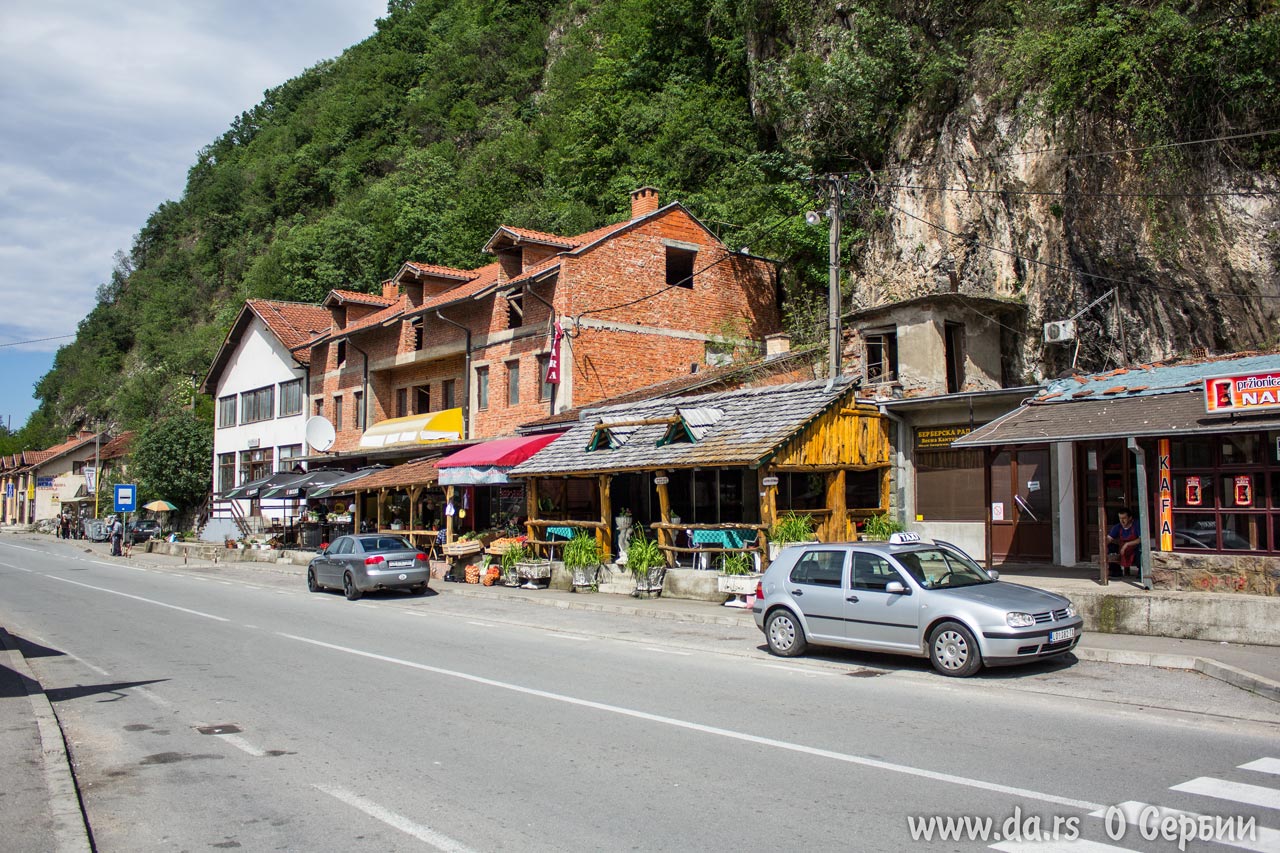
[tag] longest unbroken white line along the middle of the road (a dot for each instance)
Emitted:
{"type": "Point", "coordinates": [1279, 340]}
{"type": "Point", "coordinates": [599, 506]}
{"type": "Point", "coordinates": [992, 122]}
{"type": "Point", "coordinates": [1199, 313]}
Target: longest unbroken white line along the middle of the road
{"type": "Point", "coordinates": [1022, 793]}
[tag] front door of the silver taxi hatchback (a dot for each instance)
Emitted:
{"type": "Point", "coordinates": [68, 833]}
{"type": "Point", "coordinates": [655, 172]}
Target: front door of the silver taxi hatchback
{"type": "Point", "coordinates": [880, 619]}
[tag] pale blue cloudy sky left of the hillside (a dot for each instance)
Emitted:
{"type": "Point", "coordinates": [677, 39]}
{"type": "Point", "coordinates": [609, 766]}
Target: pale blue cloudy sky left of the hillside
{"type": "Point", "coordinates": [104, 106]}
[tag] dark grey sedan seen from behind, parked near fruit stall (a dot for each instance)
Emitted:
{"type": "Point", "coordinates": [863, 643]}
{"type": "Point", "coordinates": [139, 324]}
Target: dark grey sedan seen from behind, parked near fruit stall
{"type": "Point", "coordinates": [363, 563]}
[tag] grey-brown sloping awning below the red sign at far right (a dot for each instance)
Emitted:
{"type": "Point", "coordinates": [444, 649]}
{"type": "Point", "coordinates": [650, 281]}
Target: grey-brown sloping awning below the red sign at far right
{"type": "Point", "coordinates": [1146, 417]}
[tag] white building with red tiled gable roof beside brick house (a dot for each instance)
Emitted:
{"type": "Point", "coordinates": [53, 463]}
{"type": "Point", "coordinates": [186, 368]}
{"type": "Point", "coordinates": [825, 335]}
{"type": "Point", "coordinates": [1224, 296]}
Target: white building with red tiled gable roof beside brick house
{"type": "Point", "coordinates": [259, 390]}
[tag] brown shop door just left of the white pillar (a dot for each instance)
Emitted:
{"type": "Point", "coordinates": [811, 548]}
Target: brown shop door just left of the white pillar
{"type": "Point", "coordinates": [1022, 507]}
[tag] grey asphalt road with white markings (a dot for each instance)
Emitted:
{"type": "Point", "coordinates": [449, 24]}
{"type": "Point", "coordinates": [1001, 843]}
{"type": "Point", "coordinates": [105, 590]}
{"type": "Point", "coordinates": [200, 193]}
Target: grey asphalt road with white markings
{"type": "Point", "coordinates": [234, 710]}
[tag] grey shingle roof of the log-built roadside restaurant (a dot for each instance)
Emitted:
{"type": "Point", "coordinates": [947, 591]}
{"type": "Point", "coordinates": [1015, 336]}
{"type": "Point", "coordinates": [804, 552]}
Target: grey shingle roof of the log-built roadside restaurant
{"type": "Point", "coordinates": [738, 428]}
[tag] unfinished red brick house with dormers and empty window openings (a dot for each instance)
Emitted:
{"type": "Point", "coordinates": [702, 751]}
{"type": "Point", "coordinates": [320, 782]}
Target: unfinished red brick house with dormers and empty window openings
{"type": "Point", "coordinates": [638, 302]}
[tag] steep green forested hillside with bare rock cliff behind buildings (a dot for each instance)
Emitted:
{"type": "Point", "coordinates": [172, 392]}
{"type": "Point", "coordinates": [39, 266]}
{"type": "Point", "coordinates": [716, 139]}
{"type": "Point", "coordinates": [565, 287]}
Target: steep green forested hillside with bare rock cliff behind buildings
{"type": "Point", "coordinates": [1146, 121]}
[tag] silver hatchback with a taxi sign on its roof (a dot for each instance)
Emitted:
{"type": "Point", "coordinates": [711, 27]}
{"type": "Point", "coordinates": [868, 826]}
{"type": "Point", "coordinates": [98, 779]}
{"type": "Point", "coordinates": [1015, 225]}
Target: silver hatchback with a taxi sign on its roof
{"type": "Point", "coordinates": [909, 597]}
